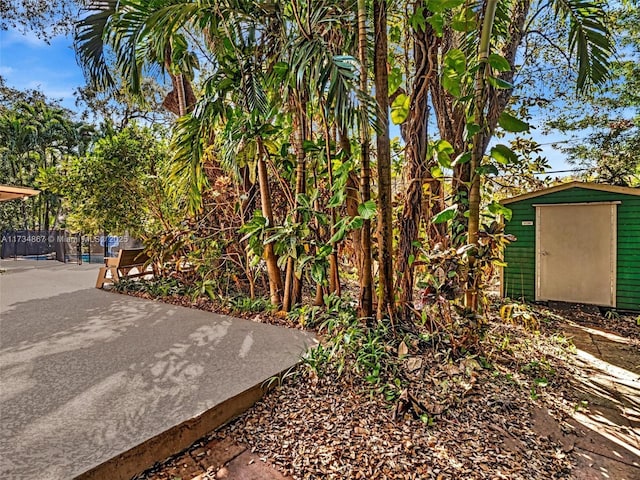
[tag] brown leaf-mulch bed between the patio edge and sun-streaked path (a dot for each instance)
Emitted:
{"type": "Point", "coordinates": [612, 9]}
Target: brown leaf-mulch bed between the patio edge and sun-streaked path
{"type": "Point", "coordinates": [502, 414]}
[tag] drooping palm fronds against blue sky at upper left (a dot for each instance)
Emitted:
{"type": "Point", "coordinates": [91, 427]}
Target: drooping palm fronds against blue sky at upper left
{"type": "Point", "coordinates": [134, 38]}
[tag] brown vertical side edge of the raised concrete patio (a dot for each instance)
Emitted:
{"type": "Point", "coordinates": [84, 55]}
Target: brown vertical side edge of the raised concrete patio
{"type": "Point", "coordinates": [174, 440]}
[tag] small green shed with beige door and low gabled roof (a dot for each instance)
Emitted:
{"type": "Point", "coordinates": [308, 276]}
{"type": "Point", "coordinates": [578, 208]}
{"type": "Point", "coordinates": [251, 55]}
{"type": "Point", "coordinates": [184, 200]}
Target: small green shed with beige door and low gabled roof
{"type": "Point", "coordinates": [576, 242]}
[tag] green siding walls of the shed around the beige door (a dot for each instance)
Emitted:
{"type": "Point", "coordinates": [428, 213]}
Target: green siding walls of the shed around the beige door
{"type": "Point", "coordinates": [519, 274]}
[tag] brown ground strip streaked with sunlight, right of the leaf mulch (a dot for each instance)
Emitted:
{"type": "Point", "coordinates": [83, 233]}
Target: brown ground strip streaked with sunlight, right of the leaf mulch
{"type": "Point", "coordinates": [606, 420]}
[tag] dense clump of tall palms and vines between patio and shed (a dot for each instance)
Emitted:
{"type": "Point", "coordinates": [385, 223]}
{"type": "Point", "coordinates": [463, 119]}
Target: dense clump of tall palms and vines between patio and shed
{"type": "Point", "coordinates": [275, 98]}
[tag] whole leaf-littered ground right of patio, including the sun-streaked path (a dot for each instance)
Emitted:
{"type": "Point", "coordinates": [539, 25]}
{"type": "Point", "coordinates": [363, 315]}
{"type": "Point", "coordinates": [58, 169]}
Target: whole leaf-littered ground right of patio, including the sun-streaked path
{"type": "Point", "coordinates": [582, 422]}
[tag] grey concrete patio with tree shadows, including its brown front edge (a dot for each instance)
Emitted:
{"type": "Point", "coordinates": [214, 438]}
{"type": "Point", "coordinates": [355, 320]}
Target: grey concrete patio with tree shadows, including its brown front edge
{"type": "Point", "coordinates": [99, 385]}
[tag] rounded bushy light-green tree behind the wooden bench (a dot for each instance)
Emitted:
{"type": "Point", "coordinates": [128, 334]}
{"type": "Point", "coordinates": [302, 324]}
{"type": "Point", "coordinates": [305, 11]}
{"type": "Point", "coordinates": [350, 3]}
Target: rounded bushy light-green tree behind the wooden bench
{"type": "Point", "coordinates": [116, 187]}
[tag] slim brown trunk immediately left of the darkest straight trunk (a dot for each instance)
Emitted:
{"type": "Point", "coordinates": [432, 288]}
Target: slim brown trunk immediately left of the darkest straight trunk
{"type": "Point", "coordinates": [365, 275]}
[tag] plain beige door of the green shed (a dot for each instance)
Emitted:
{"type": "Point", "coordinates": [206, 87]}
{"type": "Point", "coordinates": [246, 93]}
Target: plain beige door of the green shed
{"type": "Point", "coordinates": [576, 253]}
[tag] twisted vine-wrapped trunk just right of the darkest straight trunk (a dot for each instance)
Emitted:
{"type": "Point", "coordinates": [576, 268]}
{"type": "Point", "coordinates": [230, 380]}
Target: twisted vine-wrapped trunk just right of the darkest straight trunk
{"type": "Point", "coordinates": [417, 166]}
